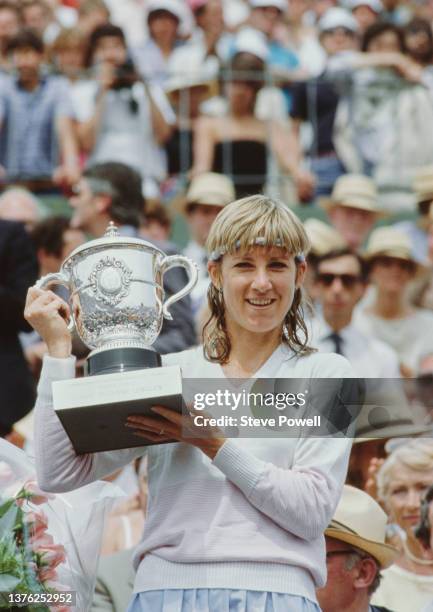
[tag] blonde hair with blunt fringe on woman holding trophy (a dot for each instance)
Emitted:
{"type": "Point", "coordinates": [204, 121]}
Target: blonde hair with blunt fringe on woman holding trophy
{"type": "Point", "coordinates": [237, 227]}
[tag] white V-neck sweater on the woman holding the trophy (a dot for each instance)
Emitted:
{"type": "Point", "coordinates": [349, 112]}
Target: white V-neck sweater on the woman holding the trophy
{"type": "Point", "coordinates": [253, 518]}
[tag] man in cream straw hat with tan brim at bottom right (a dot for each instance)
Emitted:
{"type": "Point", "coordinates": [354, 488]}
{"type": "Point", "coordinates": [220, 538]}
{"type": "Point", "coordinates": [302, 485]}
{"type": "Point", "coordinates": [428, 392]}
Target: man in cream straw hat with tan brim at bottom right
{"type": "Point", "coordinates": [356, 552]}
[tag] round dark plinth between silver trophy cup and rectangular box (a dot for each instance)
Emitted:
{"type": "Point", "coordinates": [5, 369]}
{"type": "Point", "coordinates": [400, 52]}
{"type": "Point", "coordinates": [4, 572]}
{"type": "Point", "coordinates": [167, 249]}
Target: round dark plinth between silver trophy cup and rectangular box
{"type": "Point", "coordinates": [124, 359]}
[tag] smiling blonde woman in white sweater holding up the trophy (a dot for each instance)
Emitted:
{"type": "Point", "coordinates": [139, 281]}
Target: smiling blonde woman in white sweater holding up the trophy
{"type": "Point", "coordinates": [232, 524]}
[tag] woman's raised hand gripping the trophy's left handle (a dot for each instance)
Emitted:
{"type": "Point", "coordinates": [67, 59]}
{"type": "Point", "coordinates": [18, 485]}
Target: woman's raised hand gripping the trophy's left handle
{"type": "Point", "coordinates": [48, 315]}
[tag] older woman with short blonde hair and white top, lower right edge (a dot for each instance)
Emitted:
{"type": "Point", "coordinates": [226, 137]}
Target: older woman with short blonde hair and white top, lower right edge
{"type": "Point", "coordinates": [402, 481]}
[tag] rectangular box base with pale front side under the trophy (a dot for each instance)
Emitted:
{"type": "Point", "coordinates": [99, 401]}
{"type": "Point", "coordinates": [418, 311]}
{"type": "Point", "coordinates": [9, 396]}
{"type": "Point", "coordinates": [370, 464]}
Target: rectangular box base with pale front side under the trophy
{"type": "Point", "coordinates": [93, 410]}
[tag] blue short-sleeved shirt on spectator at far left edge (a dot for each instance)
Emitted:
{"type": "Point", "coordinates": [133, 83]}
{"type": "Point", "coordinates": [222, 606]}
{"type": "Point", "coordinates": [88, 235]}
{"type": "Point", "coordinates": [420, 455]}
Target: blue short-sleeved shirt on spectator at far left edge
{"type": "Point", "coordinates": [28, 138]}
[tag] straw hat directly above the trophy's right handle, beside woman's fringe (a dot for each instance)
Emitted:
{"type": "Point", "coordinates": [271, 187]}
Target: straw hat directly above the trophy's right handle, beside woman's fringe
{"type": "Point", "coordinates": [208, 189]}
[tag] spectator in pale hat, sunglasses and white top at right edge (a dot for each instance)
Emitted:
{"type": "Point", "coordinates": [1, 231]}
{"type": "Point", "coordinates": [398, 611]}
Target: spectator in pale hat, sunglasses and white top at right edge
{"type": "Point", "coordinates": [391, 317]}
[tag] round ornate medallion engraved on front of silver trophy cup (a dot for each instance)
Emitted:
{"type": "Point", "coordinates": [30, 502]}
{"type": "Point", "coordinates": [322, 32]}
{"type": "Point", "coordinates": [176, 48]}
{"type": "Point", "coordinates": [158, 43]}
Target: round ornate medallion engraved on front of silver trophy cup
{"type": "Point", "coordinates": [110, 280]}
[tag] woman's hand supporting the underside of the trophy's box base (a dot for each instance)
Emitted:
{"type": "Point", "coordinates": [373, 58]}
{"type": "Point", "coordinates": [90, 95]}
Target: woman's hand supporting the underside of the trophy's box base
{"type": "Point", "coordinates": [168, 425]}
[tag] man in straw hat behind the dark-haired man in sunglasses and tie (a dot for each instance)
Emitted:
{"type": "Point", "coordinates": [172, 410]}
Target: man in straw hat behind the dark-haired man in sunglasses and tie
{"type": "Point", "coordinates": [352, 208]}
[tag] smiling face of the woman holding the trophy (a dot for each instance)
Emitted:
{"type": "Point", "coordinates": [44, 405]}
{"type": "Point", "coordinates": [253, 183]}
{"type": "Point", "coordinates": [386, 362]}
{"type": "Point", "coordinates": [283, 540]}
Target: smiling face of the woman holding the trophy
{"type": "Point", "coordinates": [258, 287]}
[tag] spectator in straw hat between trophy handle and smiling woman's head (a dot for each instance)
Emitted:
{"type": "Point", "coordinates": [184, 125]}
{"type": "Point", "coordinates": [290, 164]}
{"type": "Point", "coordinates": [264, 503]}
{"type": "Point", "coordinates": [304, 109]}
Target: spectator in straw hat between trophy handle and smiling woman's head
{"type": "Point", "coordinates": [207, 195]}
